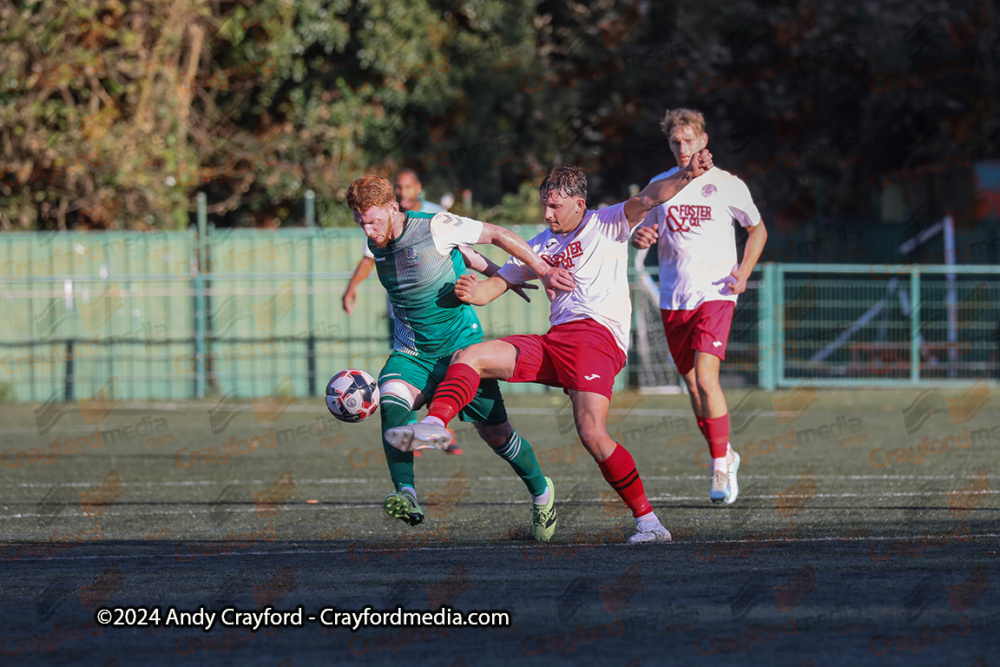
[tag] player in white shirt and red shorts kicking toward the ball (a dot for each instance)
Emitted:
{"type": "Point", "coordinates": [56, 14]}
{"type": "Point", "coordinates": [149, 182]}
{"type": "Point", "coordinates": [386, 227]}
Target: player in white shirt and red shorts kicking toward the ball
{"type": "Point", "coordinates": [585, 347]}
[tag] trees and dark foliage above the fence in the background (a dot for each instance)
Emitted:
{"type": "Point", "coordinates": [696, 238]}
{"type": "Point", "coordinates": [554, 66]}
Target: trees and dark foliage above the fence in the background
{"type": "Point", "coordinates": [113, 115]}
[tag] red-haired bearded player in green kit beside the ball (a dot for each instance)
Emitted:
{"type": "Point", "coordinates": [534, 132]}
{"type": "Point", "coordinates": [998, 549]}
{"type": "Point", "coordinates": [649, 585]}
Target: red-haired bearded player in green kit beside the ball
{"type": "Point", "coordinates": [418, 259]}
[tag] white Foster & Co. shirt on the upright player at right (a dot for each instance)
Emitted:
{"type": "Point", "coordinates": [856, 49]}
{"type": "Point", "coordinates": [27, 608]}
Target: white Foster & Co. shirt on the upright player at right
{"type": "Point", "coordinates": [697, 244]}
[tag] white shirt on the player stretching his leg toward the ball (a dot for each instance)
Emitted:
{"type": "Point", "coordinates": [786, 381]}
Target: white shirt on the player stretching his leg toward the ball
{"type": "Point", "coordinates": [596, 253]}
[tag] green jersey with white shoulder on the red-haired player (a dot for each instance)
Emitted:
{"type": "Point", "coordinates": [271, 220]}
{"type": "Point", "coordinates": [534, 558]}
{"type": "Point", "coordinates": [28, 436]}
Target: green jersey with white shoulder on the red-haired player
{"type": "Point", "coordinates": [419, 270]}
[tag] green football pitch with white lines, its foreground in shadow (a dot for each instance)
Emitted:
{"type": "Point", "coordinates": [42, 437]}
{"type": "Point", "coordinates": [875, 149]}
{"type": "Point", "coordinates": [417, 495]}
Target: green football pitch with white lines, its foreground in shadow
{"type": "Point", "coordinates": [866, 531]}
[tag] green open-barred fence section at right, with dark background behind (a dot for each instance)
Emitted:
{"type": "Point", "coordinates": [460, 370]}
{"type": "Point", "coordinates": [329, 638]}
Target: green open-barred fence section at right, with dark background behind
{"type": "Point", "coordinates": [879, 325]}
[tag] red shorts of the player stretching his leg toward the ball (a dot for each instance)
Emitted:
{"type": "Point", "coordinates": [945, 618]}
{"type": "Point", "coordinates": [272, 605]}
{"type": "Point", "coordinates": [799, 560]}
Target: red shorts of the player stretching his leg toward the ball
{"type": "Point", "coordinates": [581, 355]}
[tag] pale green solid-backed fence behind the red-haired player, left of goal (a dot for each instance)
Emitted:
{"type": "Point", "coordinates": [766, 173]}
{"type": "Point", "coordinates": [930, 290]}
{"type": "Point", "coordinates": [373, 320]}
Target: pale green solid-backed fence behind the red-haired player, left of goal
{"type": "Point", "coordinates": [181, 315]}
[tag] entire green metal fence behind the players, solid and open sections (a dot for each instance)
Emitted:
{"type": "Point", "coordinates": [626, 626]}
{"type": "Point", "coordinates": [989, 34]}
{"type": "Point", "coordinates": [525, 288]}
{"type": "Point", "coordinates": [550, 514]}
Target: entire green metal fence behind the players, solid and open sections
{"type": "Point", "coordinates": [249, 313]}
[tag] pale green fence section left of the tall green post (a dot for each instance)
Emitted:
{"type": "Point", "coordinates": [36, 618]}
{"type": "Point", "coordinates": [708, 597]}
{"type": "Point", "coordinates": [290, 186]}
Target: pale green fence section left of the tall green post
{"type": "Point", "coordinates": [86, 311]}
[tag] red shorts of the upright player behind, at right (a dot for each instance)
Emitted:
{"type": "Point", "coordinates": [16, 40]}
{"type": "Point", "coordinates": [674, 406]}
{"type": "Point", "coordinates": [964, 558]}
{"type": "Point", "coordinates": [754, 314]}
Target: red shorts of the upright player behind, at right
{"type": "Point", "coordinates": [704, 329]}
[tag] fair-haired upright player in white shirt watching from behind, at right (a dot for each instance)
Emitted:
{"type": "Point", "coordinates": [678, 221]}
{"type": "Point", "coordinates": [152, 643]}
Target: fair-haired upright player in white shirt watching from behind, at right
{"type": "Point", "coordinates": [700, 280]}
